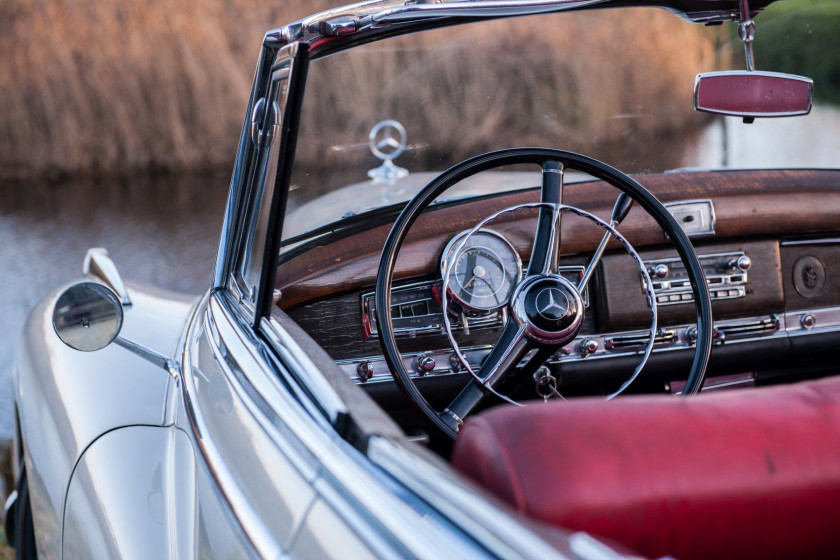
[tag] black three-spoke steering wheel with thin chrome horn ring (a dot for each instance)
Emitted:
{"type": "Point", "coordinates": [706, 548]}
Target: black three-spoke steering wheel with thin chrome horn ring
{"type": "Point", "coordinates": [529, 329]}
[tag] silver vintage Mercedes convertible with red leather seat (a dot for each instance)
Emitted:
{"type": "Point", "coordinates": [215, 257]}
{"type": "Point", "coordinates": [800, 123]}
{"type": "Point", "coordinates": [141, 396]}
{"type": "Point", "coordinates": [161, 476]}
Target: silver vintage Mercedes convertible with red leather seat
{"type": "Point", "coordinates": [423, 339]}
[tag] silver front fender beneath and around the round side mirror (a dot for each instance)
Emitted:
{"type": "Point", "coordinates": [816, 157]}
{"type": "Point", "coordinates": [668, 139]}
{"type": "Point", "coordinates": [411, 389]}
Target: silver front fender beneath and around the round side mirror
{"type": "Point", "coordinates": [66, 398]}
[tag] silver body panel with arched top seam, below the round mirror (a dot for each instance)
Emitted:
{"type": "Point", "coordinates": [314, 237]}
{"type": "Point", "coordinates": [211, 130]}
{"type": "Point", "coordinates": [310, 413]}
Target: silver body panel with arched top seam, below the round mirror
{"type": "Point", "coordinates": [132, 495]}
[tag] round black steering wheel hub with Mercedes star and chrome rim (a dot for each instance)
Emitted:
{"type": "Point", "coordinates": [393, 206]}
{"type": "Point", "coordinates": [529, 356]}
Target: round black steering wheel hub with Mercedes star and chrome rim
{"type": "Point", "coordinates": [549, 309]}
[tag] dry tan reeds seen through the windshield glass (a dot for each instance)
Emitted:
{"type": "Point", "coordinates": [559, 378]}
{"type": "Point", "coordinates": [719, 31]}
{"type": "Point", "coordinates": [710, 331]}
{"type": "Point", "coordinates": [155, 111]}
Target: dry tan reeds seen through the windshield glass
{"type": "Point", "coordinates": [633, 84]}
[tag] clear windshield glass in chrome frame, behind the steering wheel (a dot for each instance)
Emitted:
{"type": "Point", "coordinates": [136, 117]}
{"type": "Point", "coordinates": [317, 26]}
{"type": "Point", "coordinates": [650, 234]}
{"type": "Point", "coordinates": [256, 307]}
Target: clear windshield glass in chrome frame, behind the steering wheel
{"type": "Point", "coordinates": [616, 85]}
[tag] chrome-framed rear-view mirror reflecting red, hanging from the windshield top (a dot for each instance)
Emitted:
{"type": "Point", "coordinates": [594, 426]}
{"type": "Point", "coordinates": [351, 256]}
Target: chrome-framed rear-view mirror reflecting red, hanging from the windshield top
{"type": "Point", "coordinates": [750, 94]}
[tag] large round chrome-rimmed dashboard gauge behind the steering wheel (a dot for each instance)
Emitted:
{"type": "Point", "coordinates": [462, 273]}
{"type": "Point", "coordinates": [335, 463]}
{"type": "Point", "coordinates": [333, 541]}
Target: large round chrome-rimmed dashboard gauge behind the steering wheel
{"type": "Point", "coordinates": [485, 271]}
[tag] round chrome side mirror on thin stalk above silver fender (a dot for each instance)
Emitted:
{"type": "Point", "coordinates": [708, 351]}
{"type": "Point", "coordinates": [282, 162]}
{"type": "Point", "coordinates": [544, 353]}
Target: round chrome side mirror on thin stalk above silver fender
{"type": "Point", "coordinates": [87, 316]}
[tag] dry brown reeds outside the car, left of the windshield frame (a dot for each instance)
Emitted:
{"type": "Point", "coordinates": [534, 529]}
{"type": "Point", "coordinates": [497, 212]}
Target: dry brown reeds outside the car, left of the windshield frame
{"type": "Point", "coordinates": [105, 86]}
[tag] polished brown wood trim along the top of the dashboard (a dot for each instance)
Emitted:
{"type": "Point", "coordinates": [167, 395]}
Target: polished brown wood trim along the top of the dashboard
{"type": "Point", "coordinates": [747, 204]}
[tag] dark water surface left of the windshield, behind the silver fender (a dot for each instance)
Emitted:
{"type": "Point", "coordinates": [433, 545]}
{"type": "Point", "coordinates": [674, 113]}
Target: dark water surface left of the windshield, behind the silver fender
{"type": "Point", "coordinates": [161, 231]}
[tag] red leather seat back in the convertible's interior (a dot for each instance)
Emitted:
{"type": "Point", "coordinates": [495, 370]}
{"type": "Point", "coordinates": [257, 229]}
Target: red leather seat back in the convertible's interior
{"type": "Point", "coordinates": [740, 474]}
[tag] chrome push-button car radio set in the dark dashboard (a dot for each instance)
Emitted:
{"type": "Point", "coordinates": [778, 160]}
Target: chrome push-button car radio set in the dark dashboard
{"type": "Point", "coordinates": [726, 275]}
